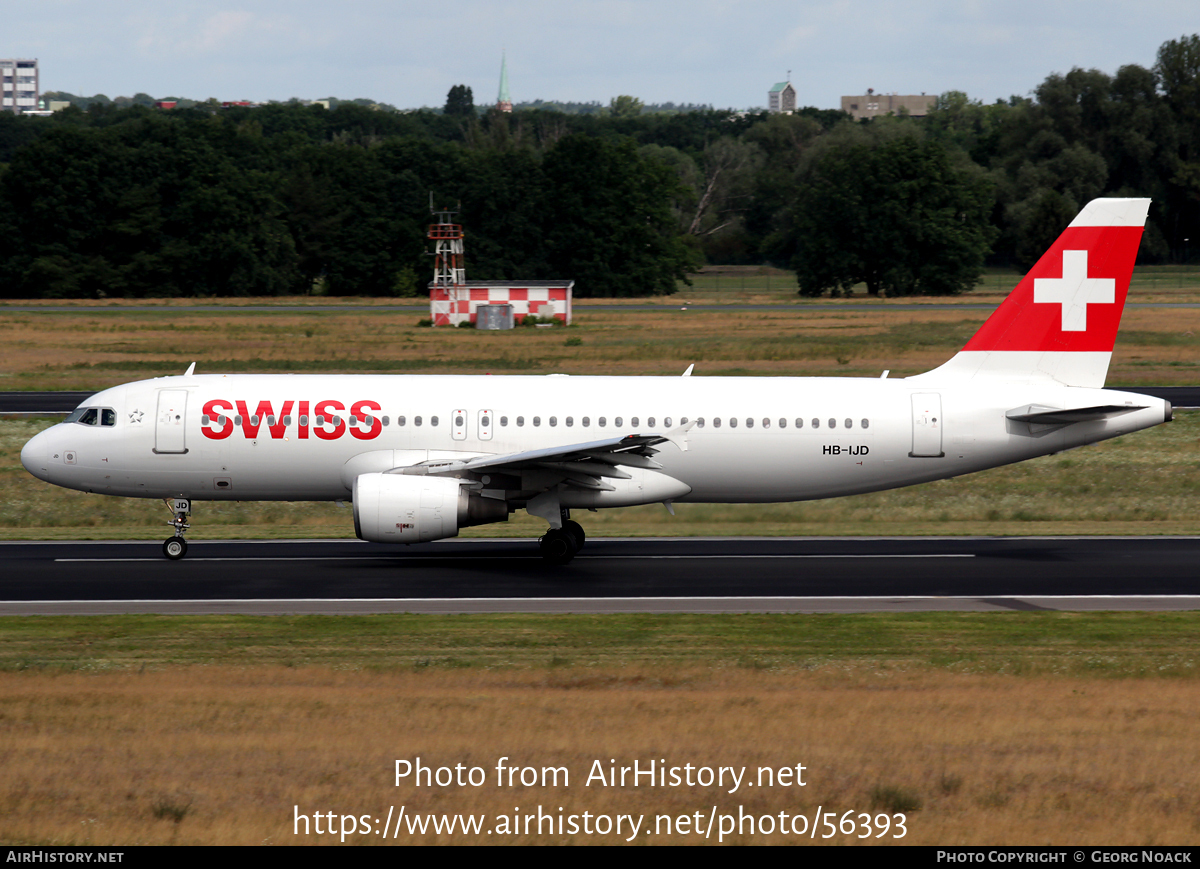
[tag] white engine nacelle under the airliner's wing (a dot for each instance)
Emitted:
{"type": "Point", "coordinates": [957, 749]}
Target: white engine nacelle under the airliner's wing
{"type": "Point", "coordinates": [404, 508]}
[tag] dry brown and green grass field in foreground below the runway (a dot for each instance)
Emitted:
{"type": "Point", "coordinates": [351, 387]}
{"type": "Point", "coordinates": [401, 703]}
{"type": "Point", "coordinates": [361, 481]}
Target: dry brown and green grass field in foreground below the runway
{"type": "Point", "coordinates": [981, 729]}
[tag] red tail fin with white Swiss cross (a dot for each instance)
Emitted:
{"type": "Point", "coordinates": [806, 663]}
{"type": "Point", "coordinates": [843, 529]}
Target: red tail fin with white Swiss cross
{"type": "Point", "coordinates": [1061, 321]}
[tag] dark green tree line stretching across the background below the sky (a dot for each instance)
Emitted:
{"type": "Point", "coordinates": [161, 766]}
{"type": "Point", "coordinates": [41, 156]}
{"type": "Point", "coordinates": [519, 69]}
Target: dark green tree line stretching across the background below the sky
{"type": "Point", "coordinates": [130, 201]}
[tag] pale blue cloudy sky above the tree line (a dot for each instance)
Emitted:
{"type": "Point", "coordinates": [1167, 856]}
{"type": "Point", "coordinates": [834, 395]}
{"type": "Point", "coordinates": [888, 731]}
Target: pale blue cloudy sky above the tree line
{"type": "Point", "coordinates": [715, 52]}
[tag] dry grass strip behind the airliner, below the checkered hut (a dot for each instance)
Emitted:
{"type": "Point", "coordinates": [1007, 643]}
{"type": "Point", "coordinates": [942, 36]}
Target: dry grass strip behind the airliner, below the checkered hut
{"type": "Point", "coordinates": [98, 347]}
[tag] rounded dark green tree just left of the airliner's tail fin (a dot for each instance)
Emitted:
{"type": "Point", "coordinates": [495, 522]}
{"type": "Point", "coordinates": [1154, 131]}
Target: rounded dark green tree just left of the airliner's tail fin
{"type": "Point", "coordinates": [893, 212]}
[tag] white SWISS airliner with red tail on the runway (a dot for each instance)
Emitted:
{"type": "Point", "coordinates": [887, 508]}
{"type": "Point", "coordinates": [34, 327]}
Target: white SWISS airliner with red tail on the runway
{"type": "Point", "coordinates": [423, 457]}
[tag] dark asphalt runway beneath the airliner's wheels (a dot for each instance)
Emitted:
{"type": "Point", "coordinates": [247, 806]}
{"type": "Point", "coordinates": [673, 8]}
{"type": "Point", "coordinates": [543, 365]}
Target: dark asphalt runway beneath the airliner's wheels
{"type": "Point", "coordinates": [610, 576]}
